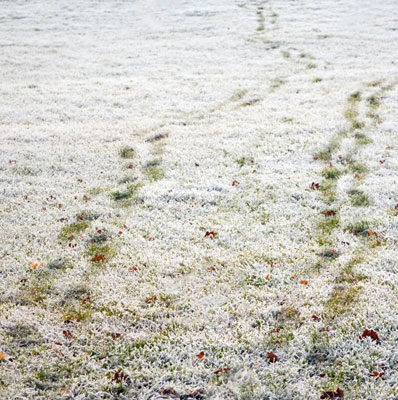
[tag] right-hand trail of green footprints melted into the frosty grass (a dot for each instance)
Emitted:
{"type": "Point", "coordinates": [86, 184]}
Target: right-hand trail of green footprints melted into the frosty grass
{"type": "Point", "coordinates": [346, 293]}
